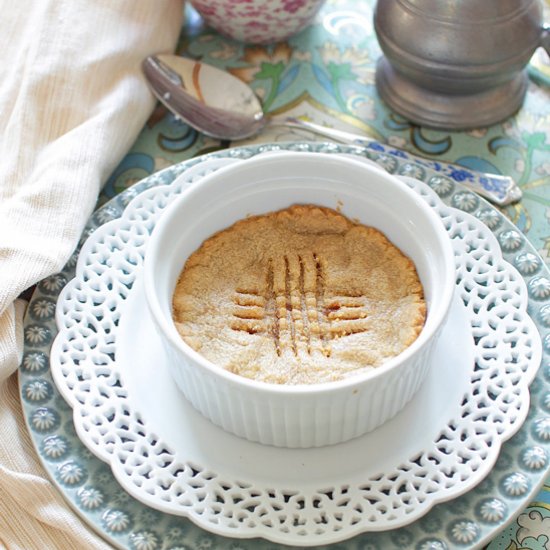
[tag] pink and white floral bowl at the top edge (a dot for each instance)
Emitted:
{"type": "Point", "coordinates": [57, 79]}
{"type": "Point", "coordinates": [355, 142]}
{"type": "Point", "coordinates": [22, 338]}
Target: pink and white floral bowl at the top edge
{"type": "Point", "coordinates": [257, 21]}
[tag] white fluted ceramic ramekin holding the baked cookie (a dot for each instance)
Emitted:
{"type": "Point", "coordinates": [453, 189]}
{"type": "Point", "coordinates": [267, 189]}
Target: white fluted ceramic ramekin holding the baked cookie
{"type": "Point", "coordinates": [301, 415]}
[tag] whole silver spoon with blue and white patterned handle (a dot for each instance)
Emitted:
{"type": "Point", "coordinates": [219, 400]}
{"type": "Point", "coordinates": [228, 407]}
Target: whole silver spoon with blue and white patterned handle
{"type": "Point", "coordinates": [222, 106]}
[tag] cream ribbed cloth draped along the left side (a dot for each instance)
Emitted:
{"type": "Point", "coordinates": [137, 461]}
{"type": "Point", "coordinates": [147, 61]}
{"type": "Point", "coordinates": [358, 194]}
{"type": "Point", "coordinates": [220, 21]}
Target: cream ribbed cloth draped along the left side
{"type": "Point", "coordinates": [72, 101]}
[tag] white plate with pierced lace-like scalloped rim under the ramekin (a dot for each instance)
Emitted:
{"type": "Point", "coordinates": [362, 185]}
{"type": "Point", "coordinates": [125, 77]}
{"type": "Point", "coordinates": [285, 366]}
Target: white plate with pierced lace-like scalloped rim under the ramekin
{"type": "Point", "coordinates": [107, 364]}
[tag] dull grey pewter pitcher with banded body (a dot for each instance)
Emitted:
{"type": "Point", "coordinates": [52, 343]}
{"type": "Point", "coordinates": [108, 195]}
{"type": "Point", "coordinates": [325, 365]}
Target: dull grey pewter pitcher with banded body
{"type": "Point", "coordinates": [456, 64]}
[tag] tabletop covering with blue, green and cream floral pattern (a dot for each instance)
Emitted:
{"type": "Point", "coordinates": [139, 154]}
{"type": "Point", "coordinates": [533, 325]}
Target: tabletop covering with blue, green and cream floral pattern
{"type": "Point", "coordinates": [326, 74]}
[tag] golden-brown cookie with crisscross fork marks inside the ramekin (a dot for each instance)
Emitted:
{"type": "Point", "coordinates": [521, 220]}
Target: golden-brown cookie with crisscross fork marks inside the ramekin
{"type": "Point", "coordinates": [298, 296]}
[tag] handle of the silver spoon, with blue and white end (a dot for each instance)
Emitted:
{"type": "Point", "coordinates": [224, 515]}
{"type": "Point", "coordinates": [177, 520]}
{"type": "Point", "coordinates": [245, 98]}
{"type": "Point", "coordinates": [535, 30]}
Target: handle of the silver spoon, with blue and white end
{"type": "Point", "coordinates": [499, 189]}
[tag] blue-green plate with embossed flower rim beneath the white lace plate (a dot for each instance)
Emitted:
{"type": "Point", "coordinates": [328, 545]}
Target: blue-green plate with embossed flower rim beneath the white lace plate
{"type": "Point", "coordinates": [88, 484]}
